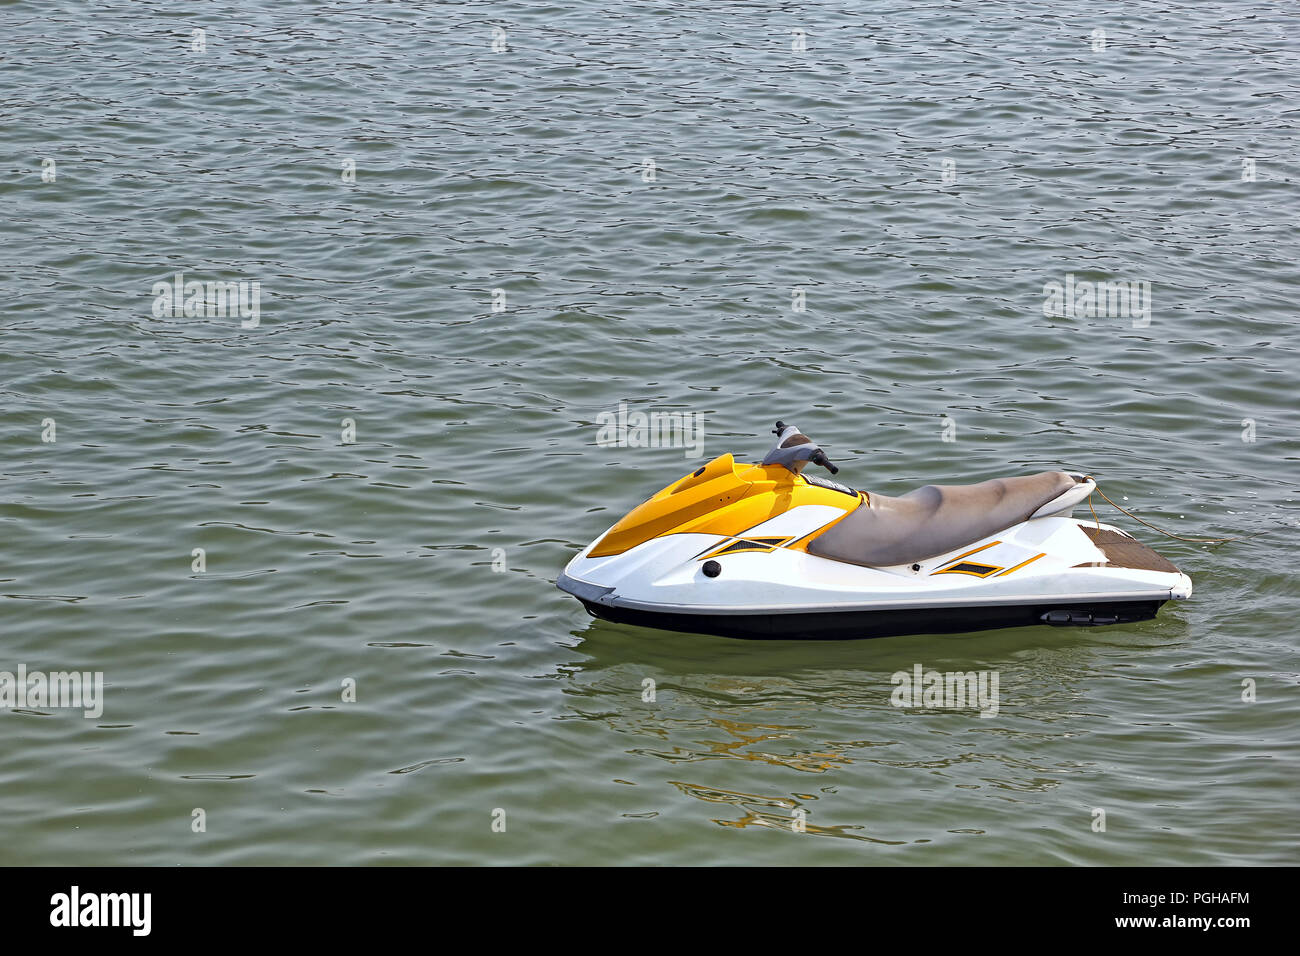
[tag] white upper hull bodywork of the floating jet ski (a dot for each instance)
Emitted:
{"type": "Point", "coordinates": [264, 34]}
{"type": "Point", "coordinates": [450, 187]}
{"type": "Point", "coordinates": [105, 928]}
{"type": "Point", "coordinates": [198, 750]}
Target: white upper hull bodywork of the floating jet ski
{"type": "Point", "coordinates": [1039, 563]}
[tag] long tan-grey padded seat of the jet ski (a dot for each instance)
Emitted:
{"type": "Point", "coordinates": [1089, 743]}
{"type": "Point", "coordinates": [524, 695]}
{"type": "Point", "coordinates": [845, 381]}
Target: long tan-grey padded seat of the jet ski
{"type": "Point", "coordinates": [935, 520]}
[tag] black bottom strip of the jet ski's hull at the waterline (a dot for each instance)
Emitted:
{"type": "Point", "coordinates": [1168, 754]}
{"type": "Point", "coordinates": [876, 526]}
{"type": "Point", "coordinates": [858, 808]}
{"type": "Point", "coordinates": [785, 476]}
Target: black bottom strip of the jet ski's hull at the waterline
{"type": "Point", "coordinates": [883, 624]}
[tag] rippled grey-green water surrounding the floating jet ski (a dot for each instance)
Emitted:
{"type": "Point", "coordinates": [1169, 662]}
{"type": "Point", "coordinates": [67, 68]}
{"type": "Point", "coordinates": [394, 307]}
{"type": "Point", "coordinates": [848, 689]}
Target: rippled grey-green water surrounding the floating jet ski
{"type": "Point", "coordinates": [526, 171]}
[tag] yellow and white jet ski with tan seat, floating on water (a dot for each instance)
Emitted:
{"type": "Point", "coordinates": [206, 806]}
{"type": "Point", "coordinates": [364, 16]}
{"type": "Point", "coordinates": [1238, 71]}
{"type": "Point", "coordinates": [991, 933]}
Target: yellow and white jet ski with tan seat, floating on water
{"type": "Point", "coordinates": [768, 551]}
